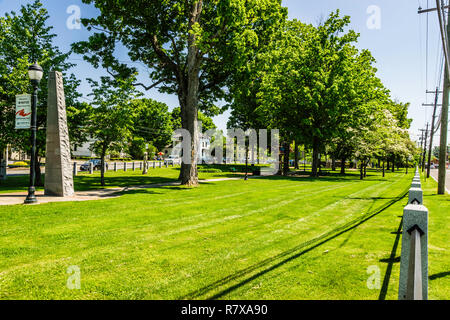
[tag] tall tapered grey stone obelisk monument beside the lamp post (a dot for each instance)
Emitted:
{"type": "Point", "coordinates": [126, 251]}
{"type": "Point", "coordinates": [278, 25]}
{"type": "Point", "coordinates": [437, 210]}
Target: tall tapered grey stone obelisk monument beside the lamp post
{"type": "Point", "coordinates": [58, 170]}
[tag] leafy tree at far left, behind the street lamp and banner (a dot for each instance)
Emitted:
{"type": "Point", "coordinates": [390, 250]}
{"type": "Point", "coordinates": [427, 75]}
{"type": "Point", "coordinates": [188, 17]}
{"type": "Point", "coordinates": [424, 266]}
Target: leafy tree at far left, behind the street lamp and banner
{"type": "Point", "coordinates": [25, 38]}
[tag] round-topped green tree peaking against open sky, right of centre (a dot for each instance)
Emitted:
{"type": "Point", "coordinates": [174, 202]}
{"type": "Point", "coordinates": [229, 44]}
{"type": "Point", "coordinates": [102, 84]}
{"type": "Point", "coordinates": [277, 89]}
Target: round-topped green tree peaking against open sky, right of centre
{"type": "Point", "coordinates": [307, 84]}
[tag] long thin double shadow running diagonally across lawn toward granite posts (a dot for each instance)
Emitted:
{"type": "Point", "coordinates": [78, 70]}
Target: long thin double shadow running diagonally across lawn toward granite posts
{"type": "Point", "coordinates": [286, 256]}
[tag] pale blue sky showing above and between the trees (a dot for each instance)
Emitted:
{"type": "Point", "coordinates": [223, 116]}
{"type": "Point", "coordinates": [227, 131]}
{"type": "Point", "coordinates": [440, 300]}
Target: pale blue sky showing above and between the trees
{"type": "Point", "coordinates": [398, 45]}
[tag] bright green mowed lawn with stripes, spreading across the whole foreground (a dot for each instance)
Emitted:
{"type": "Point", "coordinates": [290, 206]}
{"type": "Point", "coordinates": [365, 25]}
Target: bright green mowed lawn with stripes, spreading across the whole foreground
{"type": "Point", "coordinates": [267, 238]}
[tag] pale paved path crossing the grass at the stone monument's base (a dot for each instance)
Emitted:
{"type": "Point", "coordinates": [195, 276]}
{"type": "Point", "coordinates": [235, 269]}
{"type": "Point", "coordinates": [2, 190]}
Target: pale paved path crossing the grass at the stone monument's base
{"type": "Point", "coordinates": [19, 197]}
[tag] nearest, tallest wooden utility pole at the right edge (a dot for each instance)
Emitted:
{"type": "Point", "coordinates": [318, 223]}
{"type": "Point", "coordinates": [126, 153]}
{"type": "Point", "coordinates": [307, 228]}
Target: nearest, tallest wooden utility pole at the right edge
{"type": "Point", "coordinates": [445, 99]}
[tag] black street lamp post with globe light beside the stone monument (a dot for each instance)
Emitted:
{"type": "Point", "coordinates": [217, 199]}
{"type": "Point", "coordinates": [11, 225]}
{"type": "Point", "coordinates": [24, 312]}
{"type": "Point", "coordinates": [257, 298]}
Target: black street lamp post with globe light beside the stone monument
{"type": "Point", "coordinates": [35, 73]}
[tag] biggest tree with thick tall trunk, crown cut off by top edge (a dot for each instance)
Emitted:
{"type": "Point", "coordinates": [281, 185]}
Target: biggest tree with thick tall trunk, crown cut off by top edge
{"type": "Point", "coordinates": [190, 46]}
